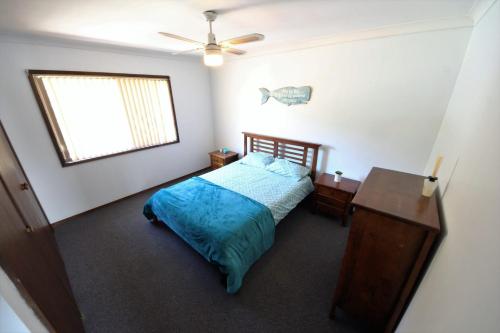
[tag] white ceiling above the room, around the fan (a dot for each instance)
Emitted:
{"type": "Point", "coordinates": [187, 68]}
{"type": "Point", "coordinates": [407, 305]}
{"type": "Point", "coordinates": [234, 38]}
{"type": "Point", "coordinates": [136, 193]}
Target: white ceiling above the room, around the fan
{"type": "Point", "coordinates": [136, 22]}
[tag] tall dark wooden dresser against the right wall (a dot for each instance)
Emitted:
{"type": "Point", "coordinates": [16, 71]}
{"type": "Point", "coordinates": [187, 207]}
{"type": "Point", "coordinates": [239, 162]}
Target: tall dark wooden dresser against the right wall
{"type": "Point", "coordinates": [393, 228]}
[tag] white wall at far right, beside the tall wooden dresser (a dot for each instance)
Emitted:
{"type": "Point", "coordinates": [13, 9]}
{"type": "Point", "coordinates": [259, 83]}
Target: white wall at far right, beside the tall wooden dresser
{"type": "Point", "coordinates": [461, 290]}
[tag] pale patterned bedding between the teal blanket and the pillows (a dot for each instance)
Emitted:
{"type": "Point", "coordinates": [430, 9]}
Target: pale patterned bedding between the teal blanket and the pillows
{"type": "Point", "coordinates": [278, 193]}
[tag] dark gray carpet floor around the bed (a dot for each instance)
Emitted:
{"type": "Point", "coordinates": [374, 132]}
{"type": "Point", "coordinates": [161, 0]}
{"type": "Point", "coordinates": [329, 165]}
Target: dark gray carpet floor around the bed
{"type": "Point", "coordinates": [131, 276]}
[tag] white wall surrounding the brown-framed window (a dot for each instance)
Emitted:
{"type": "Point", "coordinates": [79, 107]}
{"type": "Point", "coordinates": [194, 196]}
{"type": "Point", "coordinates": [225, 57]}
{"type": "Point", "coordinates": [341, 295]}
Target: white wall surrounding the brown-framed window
{"type": "Point", "coordinates": [64, 192]}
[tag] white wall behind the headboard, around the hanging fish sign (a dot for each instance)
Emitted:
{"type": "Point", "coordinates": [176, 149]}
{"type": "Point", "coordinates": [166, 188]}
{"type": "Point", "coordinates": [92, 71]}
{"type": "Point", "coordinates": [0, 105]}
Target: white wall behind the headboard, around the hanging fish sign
{"type": "Point", "coordinates": [375, 102]}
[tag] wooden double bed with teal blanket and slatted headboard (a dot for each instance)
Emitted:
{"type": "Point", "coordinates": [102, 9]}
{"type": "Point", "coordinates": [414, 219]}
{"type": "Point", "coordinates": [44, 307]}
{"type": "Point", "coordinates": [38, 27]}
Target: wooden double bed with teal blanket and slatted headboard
{"type": "Point", "coordinates": [229, 215]}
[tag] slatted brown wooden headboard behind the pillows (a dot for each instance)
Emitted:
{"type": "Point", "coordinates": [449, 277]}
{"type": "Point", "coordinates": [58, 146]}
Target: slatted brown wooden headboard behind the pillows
{"type": "Point", "coordinates": [304, 153]}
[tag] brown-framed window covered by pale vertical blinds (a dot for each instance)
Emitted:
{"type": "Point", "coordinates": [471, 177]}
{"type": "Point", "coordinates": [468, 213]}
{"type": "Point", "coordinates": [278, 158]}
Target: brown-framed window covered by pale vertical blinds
{"type": "Point", "coordinates": [96, 115]}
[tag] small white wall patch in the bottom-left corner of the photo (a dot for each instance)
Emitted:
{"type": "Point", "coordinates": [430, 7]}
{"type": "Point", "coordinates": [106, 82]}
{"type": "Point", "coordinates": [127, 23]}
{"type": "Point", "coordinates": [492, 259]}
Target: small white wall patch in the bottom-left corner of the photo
{"type": "Point", "coordinates": [16, 316]}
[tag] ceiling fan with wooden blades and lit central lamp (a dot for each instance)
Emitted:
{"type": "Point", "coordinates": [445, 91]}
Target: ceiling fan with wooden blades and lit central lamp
{"type": "Point", "coordinates": [212, 49]}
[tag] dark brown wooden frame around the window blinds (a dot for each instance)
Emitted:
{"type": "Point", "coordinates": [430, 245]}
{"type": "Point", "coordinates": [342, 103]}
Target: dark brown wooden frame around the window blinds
{"type": "Point", "coordinates": [52, 131]}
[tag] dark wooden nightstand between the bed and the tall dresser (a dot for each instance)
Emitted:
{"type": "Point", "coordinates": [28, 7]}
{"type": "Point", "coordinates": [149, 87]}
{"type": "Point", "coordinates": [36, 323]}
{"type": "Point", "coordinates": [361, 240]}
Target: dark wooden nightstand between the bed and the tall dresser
{"type": "Point", "coordinates": [334, 197]}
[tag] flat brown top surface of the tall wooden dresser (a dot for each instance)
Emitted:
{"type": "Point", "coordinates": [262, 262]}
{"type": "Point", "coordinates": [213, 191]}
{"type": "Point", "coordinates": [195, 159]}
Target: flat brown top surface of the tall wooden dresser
{"type": "Point", "coordinates": [398, 194]}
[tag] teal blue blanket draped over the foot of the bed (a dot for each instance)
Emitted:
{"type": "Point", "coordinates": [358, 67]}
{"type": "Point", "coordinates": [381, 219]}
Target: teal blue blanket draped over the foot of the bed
{"type": "Point", "coordinates": [227, 228]}
